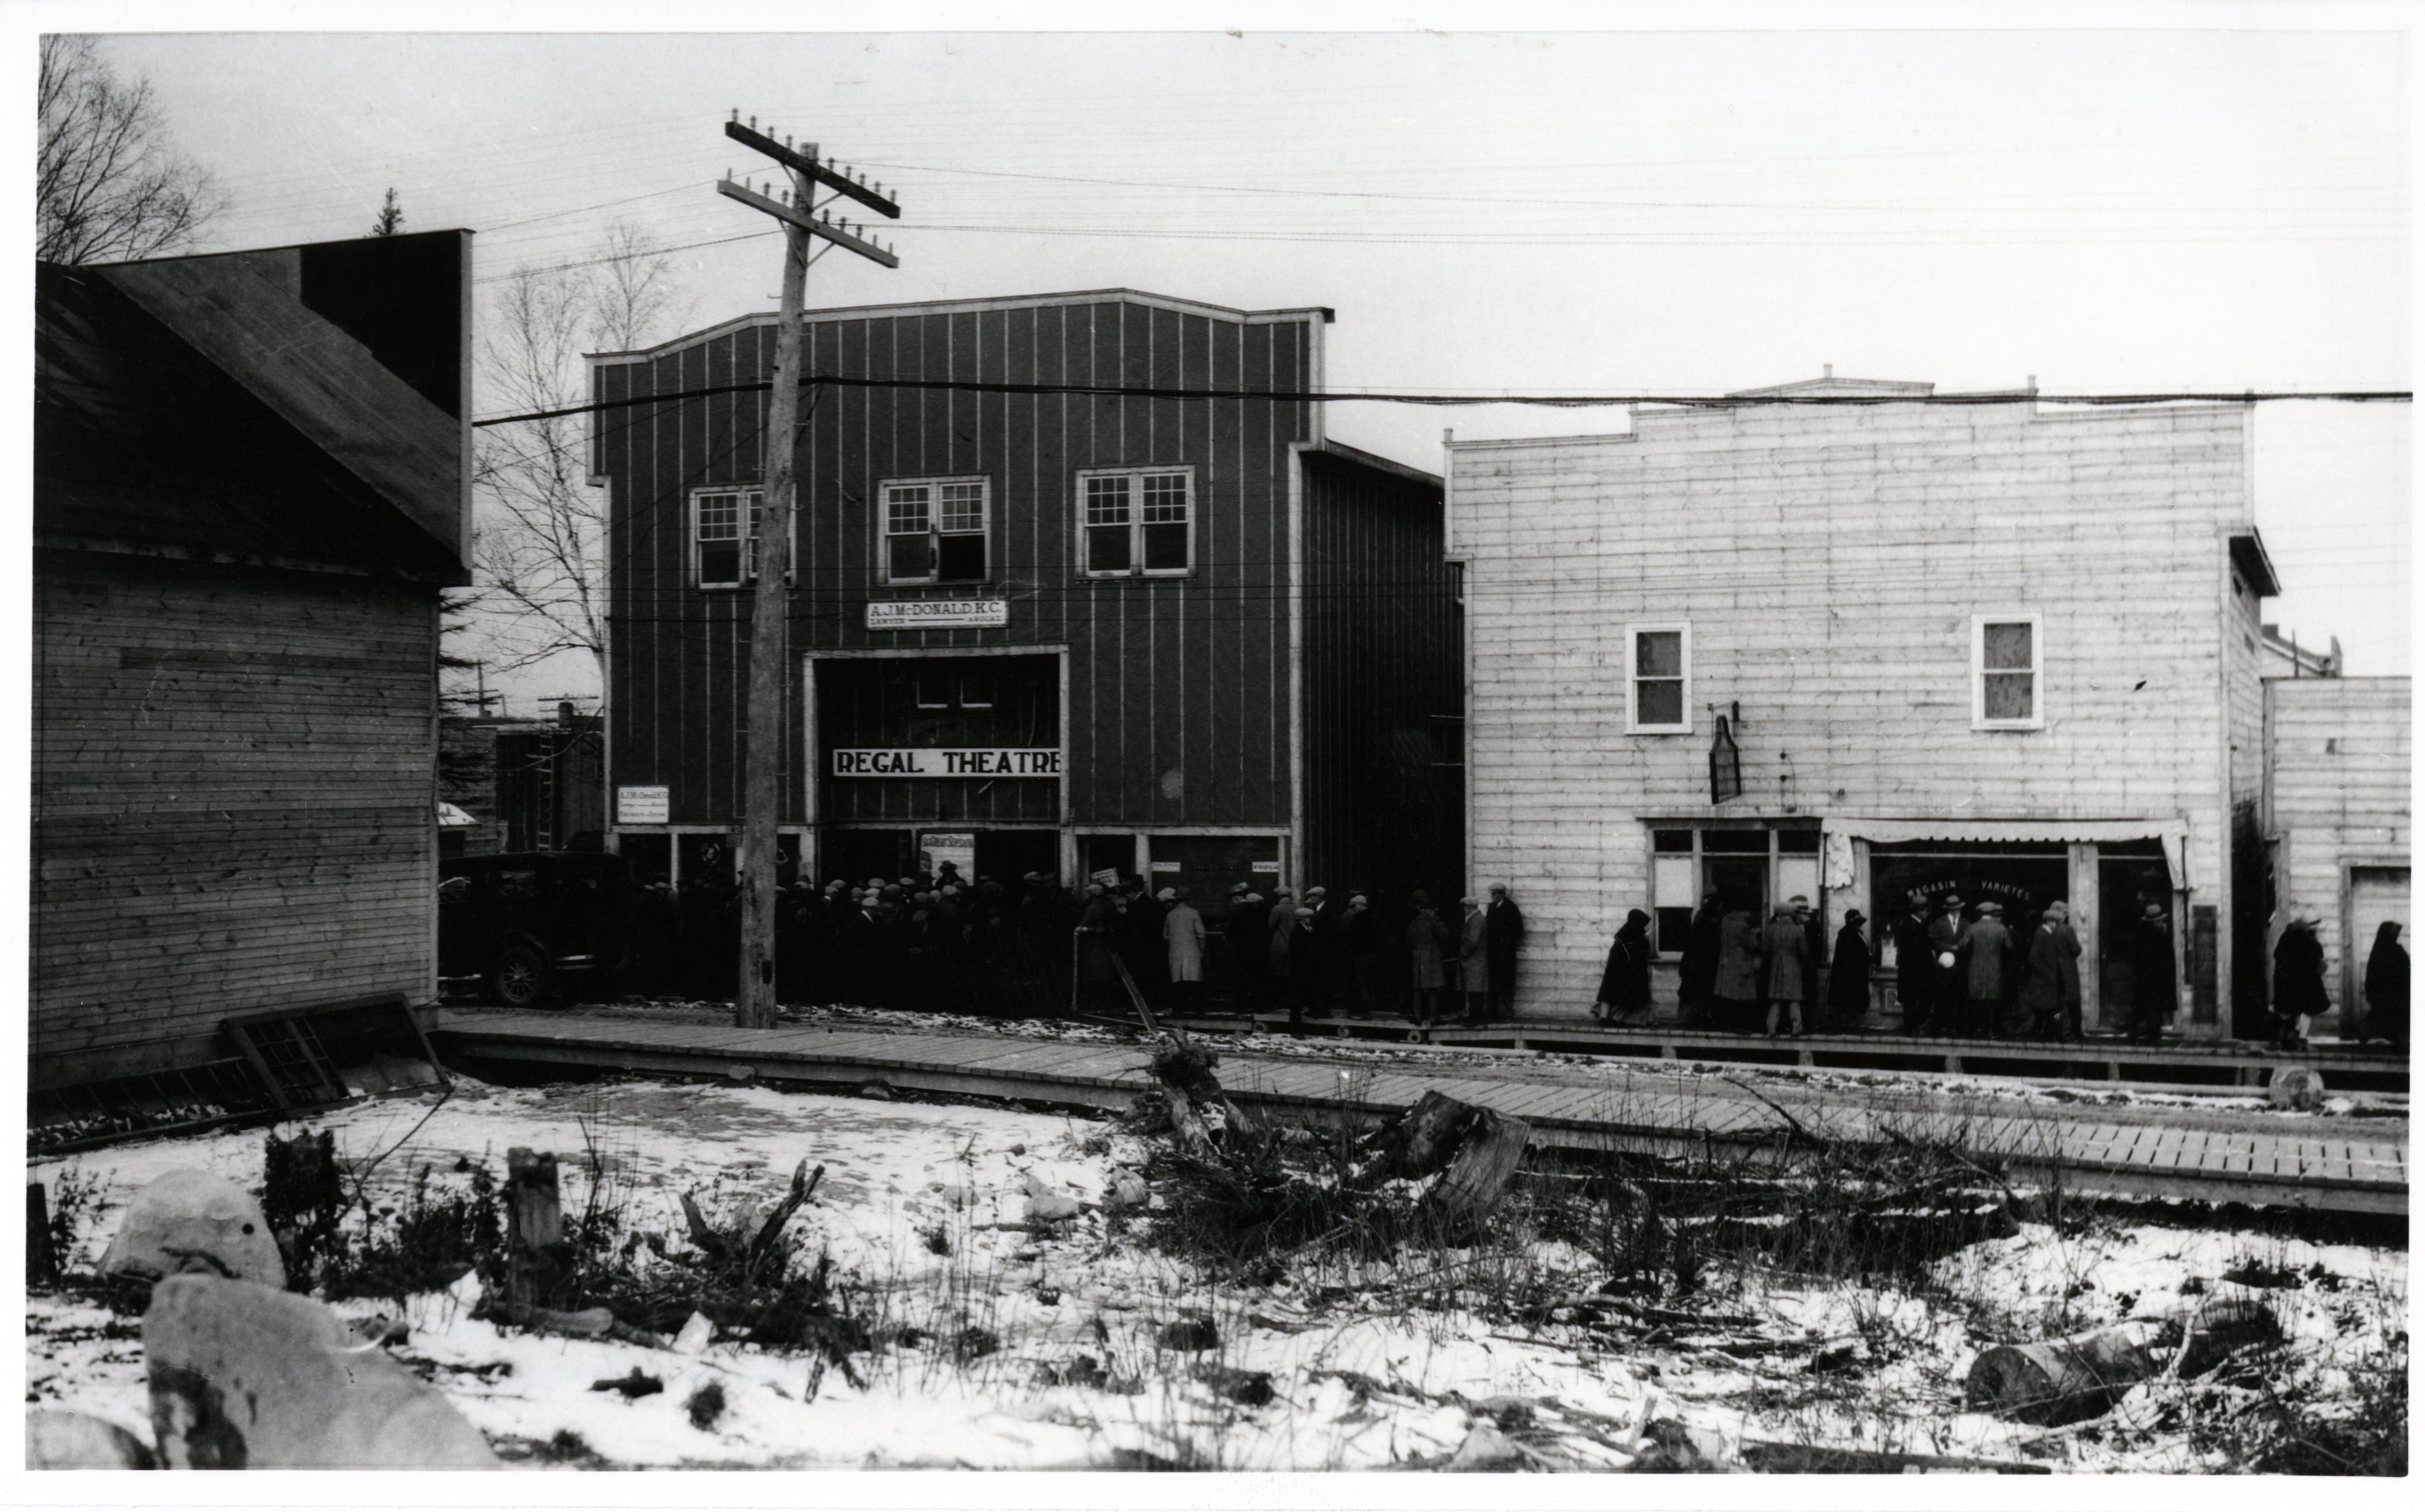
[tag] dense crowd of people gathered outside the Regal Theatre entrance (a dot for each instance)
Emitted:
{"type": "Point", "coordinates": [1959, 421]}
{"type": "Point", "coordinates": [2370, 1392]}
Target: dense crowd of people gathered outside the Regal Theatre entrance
{"type": "Point", "coordinates": [937, 941]}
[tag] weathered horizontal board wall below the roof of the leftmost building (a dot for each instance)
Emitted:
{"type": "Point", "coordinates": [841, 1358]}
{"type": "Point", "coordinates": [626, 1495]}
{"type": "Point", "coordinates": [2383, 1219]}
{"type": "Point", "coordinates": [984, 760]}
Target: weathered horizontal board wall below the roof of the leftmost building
{"type": "Point", "coordinates": [234, 803]}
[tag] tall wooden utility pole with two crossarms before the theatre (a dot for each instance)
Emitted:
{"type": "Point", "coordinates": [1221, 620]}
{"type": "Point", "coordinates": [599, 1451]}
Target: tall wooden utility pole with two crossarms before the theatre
{"type": "Point", "coordinates": [763, 750]}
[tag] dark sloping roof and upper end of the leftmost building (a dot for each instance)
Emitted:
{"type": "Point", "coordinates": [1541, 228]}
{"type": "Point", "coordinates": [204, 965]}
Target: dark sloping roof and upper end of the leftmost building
{"type": "Point", "coordinates": [205, 406]}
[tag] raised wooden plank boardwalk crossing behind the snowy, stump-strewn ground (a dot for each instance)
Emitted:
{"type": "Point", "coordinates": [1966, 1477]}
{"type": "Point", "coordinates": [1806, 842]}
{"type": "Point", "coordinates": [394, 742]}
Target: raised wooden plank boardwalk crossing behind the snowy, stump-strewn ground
{"type": "Point", "coordinates": [2128, 1152]}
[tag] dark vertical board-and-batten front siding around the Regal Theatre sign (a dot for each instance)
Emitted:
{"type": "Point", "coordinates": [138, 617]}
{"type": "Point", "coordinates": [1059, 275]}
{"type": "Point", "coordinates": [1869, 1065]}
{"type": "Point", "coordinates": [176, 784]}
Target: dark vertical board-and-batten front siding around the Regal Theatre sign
{"type": "Point", "coordinates": [1177, 687]}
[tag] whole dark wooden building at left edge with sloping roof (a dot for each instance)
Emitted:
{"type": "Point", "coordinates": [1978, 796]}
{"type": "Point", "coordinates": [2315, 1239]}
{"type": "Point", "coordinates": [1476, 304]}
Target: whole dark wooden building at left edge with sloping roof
{"type": "Point", "coordinates": [249, 491]}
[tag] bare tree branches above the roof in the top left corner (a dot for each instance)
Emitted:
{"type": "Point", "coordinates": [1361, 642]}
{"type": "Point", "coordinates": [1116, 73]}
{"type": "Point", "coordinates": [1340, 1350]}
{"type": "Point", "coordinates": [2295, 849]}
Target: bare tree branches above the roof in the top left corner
{"type": "Point", "coordinates": [108, 183]}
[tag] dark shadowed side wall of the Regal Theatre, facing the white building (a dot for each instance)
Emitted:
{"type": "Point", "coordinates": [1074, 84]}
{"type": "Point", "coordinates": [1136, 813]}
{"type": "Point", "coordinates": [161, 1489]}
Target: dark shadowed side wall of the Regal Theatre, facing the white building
{"type": "Point", "coordinates": [1381, 663]}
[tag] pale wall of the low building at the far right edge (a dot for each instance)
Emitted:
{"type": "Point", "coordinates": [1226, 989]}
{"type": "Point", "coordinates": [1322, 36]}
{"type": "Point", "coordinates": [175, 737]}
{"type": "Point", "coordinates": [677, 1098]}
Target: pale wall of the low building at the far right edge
{"type": "Point", "coordinates": [2341, 794]}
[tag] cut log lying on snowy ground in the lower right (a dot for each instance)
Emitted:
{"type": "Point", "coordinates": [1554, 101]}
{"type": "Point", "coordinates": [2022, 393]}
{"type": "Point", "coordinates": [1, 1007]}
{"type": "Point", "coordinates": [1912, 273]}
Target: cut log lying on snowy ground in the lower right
{"type": "Point", "coordinates": [2089, 1373]}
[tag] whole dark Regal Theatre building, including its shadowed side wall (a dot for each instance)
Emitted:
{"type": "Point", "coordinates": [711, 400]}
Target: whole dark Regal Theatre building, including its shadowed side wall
{"type": "Point", "coordinates": [1039, 631]}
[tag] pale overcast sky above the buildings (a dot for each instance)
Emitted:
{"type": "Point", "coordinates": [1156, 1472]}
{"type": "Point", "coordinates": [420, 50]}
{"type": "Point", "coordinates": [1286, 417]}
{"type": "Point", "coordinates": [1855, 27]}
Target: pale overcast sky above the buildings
{"type": "Point", "coordinates": [1611, 212]}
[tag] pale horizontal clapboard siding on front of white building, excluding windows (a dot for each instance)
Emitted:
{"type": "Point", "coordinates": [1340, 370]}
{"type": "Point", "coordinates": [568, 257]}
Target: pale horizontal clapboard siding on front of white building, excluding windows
{"type": "Point", "coordinates": [1830, 566]}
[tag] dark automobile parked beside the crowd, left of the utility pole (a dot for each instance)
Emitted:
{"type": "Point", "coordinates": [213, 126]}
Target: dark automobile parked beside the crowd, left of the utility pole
{"type": "Point", "coordinates": [532, 924]}
